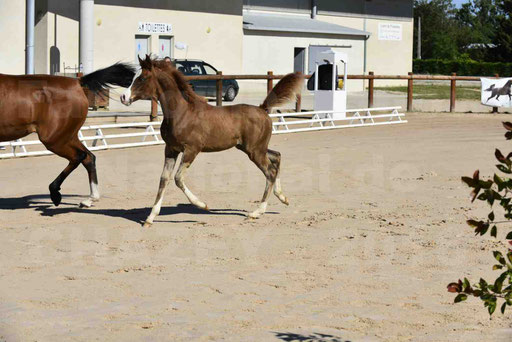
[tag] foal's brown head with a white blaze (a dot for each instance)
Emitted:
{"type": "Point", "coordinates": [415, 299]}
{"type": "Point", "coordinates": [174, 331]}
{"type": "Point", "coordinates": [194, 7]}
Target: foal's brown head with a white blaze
{"type": "Point", "coordinates": [144, 85]}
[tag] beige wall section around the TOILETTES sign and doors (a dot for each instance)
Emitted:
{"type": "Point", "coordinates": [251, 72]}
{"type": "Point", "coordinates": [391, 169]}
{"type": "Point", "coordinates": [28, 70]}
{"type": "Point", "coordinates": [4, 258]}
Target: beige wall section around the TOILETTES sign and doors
{"type": "Point", "coordinates": [216, 38]}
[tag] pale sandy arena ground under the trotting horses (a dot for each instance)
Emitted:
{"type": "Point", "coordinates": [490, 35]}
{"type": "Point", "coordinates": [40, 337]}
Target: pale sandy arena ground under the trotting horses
{"type": "Point", "coordinates": [374, 233]}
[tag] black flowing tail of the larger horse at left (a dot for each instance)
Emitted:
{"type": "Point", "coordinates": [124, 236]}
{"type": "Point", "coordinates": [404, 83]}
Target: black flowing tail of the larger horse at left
{"type": "Point", "coordinates": [119, 74]}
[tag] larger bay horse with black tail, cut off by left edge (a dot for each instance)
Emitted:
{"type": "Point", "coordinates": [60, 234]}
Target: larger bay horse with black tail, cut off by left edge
{"type": "Point", "coordinates": [56, 107]}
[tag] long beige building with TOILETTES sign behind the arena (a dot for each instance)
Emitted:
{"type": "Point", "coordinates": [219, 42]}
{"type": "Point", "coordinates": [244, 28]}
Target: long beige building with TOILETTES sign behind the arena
{"type": "Point", "coordinates": [235, 36]}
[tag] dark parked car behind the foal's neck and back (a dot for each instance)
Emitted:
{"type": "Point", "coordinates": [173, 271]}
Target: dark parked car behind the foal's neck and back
{"type": "Point", "coordinates": [207, 88]}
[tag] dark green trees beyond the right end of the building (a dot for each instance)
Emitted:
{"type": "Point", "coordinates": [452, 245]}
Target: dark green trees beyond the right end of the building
{"type": "Point", "coordinates": [480, 30]}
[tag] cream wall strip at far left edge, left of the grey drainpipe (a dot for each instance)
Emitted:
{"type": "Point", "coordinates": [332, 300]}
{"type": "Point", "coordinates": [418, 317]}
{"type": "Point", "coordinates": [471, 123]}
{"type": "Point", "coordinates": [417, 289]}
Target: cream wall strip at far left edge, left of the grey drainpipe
{"type": "Point", "coordinates": [12, 32]}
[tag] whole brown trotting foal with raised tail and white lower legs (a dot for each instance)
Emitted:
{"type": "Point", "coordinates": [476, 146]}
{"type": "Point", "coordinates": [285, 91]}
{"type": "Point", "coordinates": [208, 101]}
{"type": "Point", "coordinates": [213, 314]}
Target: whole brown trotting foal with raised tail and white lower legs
{"type": "Point", "coordinates": [191, 125]}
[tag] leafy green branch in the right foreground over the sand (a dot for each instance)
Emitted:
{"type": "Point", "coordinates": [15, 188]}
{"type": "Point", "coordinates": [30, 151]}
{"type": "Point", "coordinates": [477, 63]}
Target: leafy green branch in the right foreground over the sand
{"type": "Point", "coordinates": [496, 192]}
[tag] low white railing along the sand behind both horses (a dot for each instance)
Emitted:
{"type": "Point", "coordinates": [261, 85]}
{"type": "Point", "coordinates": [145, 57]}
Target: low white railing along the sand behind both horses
{"type": "Point", "coordinates": [286, 123]}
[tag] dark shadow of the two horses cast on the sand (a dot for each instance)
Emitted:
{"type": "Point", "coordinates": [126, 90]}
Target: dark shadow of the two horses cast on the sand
{"type": "Point", "coordinates": [44, 204]}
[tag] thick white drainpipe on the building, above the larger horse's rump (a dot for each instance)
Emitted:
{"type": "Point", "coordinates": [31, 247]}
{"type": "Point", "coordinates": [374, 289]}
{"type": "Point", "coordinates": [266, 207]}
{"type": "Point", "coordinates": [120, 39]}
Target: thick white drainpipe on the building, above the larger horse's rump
{"type": "Point", "coordinates": [87, 36]}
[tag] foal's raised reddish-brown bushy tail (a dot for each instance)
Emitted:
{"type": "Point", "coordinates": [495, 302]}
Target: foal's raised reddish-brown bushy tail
{"type": "Point", "coordinates": [285, 91]}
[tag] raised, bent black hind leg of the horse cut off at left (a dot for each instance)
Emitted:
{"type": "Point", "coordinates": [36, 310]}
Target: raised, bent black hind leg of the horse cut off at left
{"type": "Point", "coordinates": [75, 155]}
